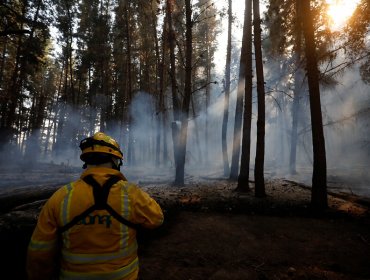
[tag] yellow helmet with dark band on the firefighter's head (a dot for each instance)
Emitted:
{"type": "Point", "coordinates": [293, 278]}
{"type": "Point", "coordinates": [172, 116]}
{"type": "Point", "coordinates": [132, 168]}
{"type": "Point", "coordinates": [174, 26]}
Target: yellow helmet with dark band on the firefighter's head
{"type": "Point", "coordinates": [100, 143]}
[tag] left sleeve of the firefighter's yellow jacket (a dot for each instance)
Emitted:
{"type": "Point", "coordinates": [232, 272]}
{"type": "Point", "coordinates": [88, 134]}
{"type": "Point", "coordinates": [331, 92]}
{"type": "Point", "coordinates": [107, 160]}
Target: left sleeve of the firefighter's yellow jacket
{"type": "Point", "coordinates": [42, 249]}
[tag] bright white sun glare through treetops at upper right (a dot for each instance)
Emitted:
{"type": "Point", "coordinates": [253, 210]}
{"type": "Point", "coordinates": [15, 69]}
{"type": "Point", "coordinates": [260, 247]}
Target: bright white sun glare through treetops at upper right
{"type": "Point", "coordinates": [340, 11]}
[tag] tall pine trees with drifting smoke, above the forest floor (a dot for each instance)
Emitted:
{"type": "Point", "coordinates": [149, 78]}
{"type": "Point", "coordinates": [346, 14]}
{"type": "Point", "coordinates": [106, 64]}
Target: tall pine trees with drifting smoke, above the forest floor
{"type": "Point", "coordinates": [182, 84]}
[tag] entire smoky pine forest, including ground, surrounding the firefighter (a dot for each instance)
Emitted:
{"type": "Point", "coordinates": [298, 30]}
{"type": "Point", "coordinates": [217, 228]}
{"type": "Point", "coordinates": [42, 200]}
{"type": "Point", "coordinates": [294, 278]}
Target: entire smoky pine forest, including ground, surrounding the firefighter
{"type": "Point", "coordinates": [248, 107]}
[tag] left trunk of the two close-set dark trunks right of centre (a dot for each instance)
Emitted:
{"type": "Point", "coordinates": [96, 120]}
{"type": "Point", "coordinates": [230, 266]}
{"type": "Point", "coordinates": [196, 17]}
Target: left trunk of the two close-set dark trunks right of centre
{"type": "Point", "coordinates": [243, 179]}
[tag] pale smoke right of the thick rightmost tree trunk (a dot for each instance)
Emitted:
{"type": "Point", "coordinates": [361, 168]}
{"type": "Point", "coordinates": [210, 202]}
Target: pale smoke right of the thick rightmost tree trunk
{"type": "Point", "coordinates": [346, 126]}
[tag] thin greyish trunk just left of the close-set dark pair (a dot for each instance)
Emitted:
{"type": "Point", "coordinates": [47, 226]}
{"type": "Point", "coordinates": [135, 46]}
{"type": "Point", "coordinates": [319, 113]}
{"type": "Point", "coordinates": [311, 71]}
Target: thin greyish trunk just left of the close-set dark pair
{"type": "Point", "coordinates": [225, 155]}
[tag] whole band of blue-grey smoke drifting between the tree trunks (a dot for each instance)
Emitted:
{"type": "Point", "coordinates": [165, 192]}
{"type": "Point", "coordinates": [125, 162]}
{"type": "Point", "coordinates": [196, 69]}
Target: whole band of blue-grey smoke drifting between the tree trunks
{"type": "Point", "coordinates": [346, 127]}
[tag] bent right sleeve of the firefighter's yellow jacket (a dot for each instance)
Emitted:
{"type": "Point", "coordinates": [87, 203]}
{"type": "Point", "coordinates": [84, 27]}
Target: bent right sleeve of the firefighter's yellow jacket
{"type": "Point", "coordinates": [145, 210]}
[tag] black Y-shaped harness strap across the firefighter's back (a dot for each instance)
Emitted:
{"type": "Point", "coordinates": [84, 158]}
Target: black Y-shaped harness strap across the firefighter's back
{"type": "Point", "coordinates": [100, 202]}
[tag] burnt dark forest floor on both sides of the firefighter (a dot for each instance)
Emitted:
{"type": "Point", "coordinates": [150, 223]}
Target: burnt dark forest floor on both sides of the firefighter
{"type": "Point", "coordinates": [213, 232]}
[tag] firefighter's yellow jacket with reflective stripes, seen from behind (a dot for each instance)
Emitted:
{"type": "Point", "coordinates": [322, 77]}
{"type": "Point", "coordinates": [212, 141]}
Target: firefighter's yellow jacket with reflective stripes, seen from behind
{"type": "Point", "coordinates": [98, 247]}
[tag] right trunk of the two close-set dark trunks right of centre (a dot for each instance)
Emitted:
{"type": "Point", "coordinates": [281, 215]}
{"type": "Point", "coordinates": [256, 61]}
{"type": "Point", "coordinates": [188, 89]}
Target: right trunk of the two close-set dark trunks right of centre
{"type": "Point", "coordinates": [260, 148]}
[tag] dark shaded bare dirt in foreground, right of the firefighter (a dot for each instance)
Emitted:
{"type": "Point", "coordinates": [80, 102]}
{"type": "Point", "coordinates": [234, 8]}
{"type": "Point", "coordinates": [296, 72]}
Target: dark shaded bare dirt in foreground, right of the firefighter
{"type": "Point", "coordinates": [238, 246]}
